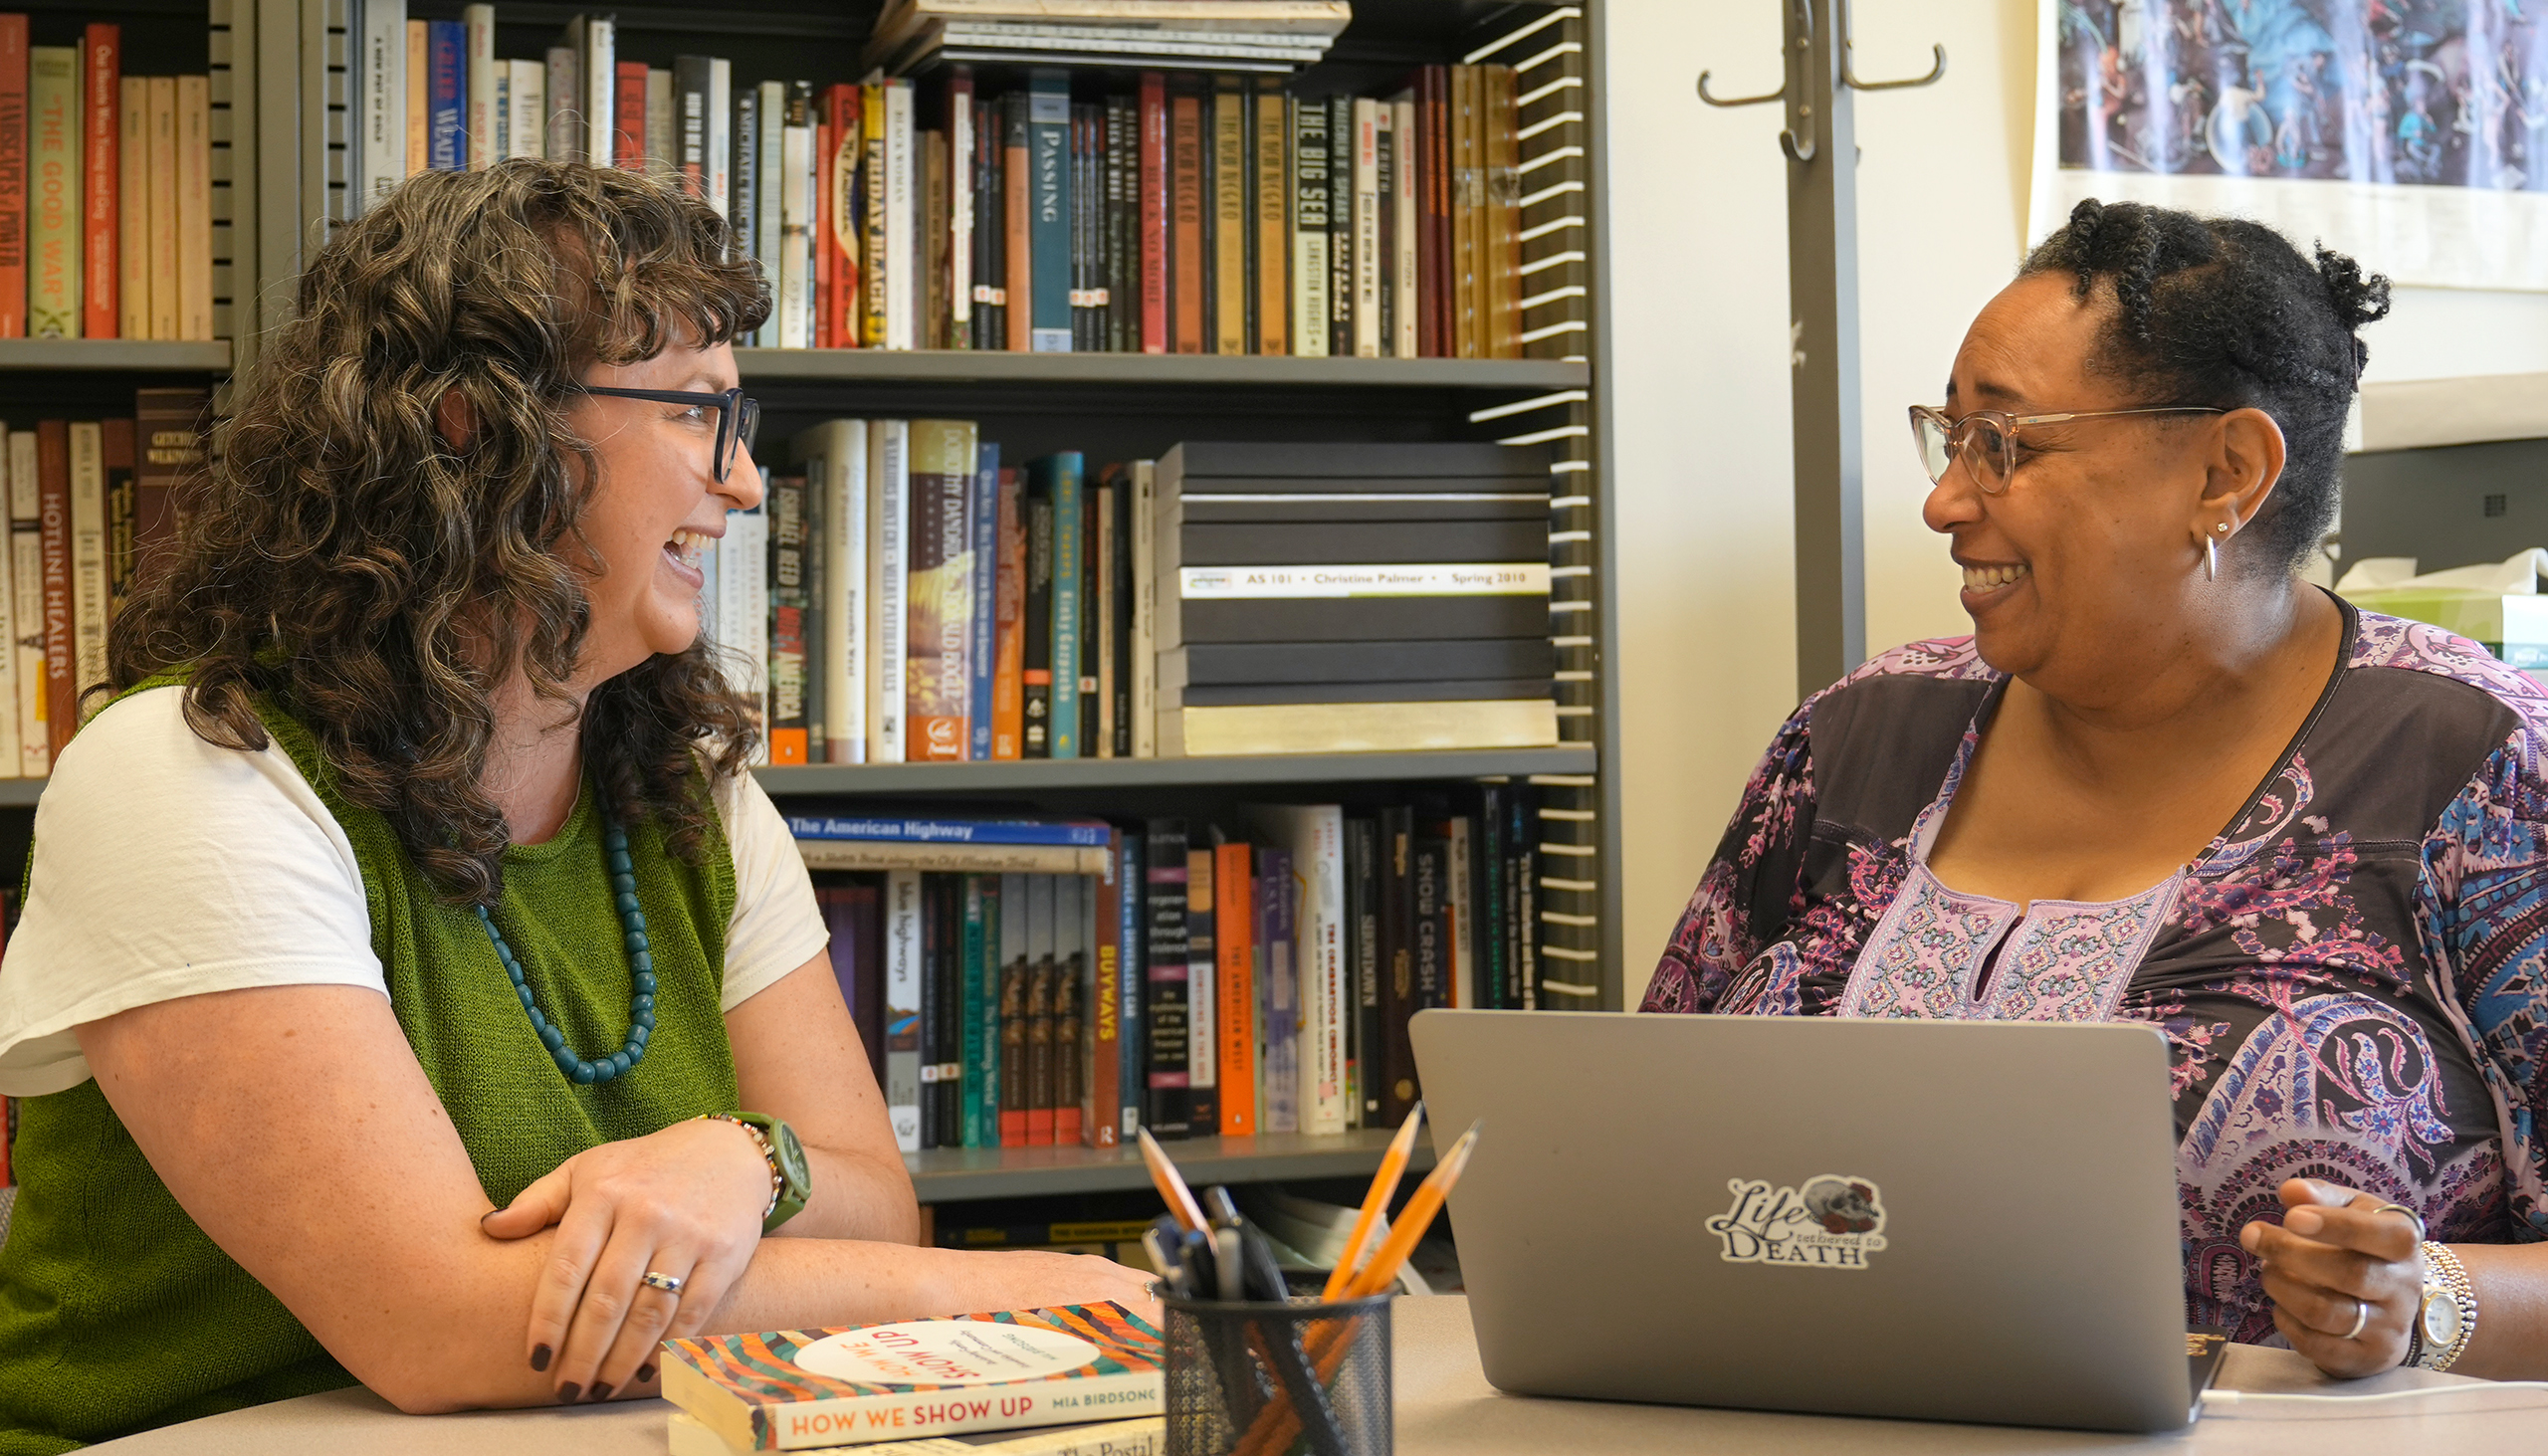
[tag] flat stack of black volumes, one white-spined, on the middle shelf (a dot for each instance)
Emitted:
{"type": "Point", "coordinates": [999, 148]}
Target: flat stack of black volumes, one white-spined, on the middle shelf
{"type": "Point", "coordinates": [1352, 598]}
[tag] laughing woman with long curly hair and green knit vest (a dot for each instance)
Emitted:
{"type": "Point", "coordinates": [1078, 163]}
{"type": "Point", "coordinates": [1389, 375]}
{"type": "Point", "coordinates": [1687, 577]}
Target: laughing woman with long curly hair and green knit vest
{"type": "Point", "coordinates": [414, 988]}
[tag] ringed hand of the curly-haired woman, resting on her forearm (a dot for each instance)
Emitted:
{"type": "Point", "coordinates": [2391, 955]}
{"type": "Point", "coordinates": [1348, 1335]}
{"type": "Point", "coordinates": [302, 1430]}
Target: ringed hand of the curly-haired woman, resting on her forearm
{"type": "Point", "coordinates": [684, 1202]}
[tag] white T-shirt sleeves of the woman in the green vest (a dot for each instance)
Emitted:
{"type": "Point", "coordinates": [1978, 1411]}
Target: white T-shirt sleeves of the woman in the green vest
{"type": "Point", "coordinates": [172, 868]}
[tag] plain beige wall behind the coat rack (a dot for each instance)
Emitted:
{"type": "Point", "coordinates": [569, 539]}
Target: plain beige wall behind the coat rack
{"type": "Point", "coordinates": [1698, 338]}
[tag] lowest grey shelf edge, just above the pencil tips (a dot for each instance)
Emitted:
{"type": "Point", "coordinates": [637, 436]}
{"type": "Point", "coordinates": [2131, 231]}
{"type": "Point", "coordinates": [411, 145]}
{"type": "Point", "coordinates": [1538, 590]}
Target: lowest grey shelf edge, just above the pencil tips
{"type": "Point", "coordinates": [967, 1174]}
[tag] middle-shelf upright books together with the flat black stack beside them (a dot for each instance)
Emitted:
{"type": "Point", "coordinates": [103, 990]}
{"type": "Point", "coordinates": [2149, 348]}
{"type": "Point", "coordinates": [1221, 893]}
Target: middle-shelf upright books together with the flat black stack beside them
{"type": "Point", "coordinates": [908, 598]}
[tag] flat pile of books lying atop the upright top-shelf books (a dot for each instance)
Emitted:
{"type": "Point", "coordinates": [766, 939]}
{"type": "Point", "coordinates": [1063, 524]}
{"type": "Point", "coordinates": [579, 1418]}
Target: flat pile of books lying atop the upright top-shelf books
{"type": "Point", "coordinates": [1224, 34]}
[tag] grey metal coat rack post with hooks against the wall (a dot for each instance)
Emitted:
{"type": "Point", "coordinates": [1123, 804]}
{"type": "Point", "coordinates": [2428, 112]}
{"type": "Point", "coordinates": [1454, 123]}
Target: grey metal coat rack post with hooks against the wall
{"type": "Point", "coordinates": [1821, 144]}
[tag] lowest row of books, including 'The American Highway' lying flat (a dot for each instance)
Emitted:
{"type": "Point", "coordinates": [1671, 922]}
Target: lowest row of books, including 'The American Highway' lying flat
{"type": "Point", "coordinates": [1069, 980]}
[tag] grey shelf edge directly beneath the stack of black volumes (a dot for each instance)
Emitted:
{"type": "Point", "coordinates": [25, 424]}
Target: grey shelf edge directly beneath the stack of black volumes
{"type": "Point", "coordinates": [1041, 776]}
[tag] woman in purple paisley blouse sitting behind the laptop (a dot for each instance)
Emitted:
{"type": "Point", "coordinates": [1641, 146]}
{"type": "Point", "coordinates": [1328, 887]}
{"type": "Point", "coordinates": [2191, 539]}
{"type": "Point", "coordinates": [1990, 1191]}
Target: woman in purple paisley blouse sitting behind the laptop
{"type": "Point", "coordinates": [2170, 782]}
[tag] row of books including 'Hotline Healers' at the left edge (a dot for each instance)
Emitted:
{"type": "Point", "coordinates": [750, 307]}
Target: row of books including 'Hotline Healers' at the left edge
{"type": "Point", "coordinates": [85, 504]}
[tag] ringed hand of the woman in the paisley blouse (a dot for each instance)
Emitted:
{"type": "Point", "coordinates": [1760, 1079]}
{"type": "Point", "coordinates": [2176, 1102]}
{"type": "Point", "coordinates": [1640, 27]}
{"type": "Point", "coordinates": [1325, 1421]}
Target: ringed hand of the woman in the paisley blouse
{"type": "Point", "coordinates": [2338, 1258]}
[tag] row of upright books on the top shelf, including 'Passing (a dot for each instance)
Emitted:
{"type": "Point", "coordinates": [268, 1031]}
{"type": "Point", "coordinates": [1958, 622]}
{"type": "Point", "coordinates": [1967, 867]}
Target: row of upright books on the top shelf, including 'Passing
{"type": "Point", "coordinates": [1181, 213]}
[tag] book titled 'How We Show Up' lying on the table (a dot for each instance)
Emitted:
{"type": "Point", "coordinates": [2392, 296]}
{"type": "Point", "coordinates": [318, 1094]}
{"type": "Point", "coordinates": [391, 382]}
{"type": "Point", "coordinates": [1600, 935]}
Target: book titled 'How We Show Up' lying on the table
{"type": "Point", "coordinates": [919, 1378]}
